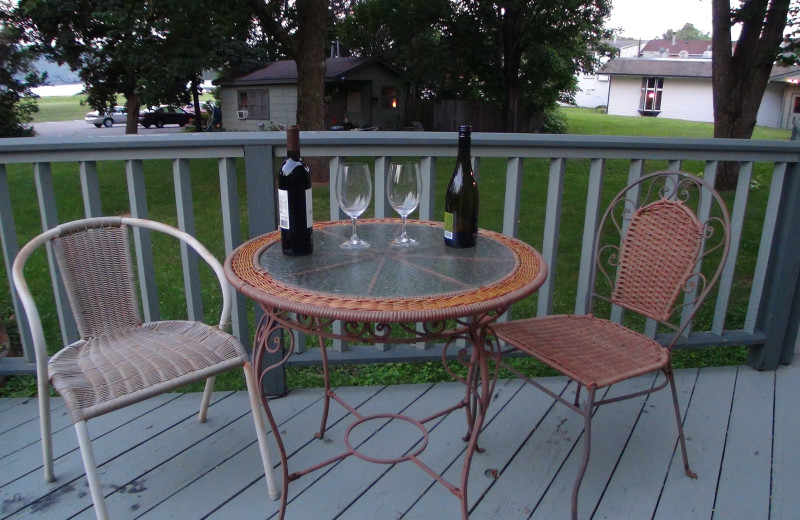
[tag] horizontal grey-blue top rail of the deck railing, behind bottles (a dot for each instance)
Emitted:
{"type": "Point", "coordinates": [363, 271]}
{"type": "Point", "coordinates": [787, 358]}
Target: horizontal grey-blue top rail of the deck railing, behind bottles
{"type": "Point", "coordinates": [329, 143]}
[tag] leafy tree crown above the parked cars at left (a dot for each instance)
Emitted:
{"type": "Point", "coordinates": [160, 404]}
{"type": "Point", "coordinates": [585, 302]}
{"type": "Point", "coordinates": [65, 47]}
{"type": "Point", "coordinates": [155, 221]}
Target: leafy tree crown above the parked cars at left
{"type": "Point", "coordinates": [146, 51]}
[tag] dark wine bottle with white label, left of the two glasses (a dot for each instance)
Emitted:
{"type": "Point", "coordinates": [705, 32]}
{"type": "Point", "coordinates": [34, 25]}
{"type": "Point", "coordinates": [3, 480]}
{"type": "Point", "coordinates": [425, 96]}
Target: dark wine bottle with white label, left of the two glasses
{"type": "Point", "coordinates": [294, 199]}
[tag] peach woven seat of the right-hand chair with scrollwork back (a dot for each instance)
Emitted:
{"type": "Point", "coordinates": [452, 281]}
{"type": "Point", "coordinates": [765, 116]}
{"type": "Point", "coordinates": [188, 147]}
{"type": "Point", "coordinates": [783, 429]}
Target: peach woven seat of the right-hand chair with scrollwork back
{"type": "Point", "coordinates": [589, 350]}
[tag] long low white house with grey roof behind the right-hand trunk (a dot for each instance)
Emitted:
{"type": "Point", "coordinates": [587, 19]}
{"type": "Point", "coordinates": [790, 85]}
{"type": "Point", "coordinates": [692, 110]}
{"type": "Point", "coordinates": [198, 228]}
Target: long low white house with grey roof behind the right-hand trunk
{"type": "Point", "coordinates": [681, 89]}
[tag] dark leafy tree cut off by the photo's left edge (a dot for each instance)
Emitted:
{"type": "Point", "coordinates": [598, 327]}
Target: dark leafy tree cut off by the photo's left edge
{"type": "Point", "coordinates": [17, 78]}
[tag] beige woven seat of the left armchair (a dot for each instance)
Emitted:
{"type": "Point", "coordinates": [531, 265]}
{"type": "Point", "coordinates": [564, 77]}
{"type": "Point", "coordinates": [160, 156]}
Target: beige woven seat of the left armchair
{"type": "Point", "coordinates": [113, 370]}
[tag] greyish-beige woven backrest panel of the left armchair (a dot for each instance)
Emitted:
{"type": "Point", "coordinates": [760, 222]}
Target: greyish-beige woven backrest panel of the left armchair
{"type": "Point", "coordinates": [97, 271]}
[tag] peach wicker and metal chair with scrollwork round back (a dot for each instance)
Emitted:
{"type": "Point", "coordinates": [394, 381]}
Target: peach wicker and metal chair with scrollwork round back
{"type": "Point", "coordinates": [651, 249]}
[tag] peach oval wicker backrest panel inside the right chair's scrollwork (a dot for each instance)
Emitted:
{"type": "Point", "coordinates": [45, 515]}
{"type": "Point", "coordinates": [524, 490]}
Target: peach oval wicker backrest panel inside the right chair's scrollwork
{"type": "Point", "coordinates": [658, 255]}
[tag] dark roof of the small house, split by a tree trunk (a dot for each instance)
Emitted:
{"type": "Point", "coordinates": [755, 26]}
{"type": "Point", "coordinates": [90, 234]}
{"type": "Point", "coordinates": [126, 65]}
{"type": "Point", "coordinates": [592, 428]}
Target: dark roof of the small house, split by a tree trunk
{"type": "Point", "coordinates": [285, 71]}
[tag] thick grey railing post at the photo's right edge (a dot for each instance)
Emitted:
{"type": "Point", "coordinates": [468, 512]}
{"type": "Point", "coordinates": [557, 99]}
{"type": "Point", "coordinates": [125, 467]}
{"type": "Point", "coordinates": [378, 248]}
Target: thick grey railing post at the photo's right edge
{"type": "Point", "coordinates": [780, 306]}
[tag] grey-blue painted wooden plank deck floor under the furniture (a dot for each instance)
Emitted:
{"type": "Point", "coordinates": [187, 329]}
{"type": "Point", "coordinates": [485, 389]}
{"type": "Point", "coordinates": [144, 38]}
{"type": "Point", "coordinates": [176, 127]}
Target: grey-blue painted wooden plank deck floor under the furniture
{"type": "Point", "coordinates": [157, 462]}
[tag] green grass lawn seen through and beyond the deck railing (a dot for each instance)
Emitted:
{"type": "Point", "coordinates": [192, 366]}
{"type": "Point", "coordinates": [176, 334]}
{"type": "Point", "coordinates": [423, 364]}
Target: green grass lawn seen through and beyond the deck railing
{"type": "Point", "coordinates": [492, 183]}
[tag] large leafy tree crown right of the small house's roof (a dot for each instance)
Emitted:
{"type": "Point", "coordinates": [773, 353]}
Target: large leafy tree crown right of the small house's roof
{"type": "Point", "coordinates": [513, 53]}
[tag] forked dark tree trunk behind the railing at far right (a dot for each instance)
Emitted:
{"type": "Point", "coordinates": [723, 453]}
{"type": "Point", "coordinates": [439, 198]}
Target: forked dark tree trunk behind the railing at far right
{"type": "Point", "coordinates": [740, 77]}
